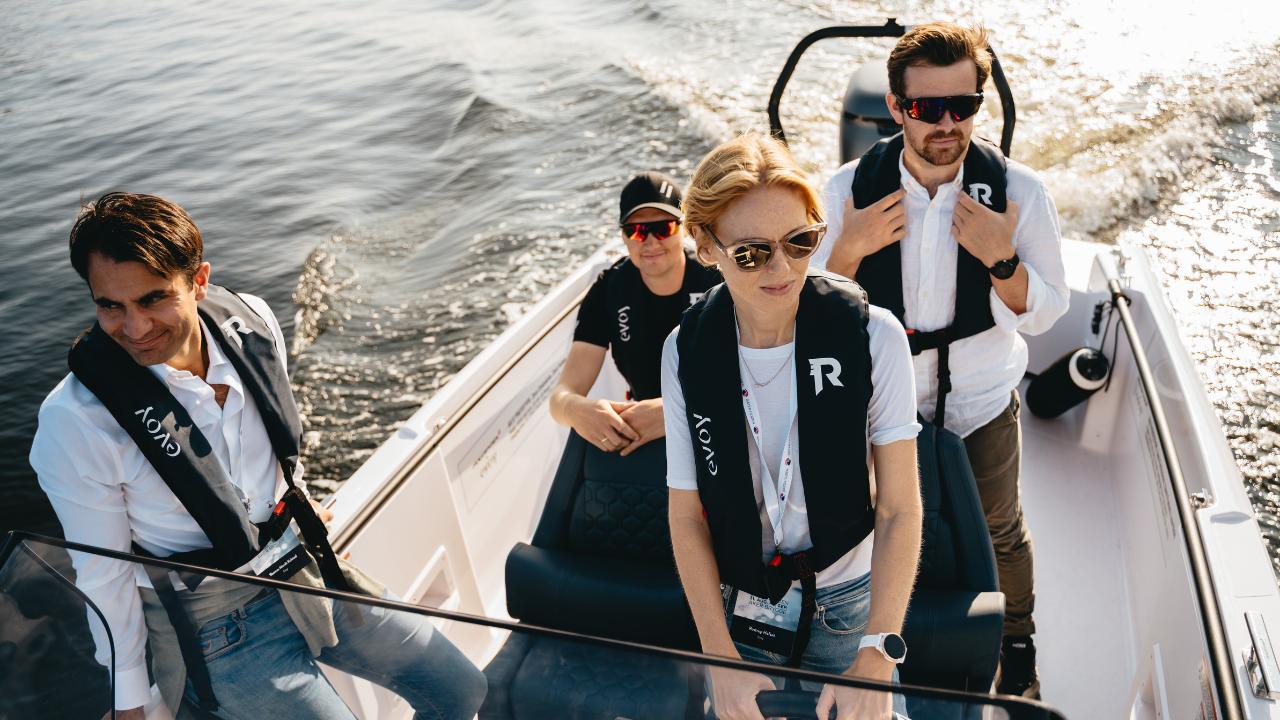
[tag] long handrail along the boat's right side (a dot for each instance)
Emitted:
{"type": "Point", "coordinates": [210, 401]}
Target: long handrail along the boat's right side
{"type": "Point", "coordinates": [1212, 614]}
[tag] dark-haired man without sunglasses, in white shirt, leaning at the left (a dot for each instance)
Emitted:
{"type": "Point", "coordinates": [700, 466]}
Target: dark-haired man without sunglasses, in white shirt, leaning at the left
{"type": "Point", "coordinates": [230, 425]}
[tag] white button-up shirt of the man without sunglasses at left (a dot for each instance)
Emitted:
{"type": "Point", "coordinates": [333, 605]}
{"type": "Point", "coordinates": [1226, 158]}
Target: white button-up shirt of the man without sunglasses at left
{"type": "Point", "coordinates": [108, 495]}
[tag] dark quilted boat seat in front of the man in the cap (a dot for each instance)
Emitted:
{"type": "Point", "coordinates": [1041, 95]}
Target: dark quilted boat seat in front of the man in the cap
{"type": "Point", "coordinates": [600, 564]}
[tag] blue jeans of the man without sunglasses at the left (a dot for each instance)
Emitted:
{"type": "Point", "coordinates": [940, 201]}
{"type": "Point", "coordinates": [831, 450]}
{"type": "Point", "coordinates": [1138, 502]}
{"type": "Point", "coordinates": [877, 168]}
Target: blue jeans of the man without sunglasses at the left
{"type": "Point", "coordinates": [260, 666]}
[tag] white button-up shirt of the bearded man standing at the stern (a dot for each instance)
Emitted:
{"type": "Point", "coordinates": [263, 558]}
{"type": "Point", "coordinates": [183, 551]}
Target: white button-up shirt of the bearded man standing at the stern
{"type": "Point", "coordinates": [986, 367]}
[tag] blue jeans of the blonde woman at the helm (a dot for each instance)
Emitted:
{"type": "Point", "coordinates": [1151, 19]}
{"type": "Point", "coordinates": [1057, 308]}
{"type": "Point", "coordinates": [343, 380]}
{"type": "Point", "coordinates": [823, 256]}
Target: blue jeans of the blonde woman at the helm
{"type": "Point", "coordinates": [835, 631]}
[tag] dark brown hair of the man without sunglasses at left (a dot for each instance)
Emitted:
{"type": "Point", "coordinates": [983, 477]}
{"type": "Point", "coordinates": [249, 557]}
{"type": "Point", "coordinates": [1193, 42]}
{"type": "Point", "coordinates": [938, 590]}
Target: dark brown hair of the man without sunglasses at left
{"type": "Point", "coordinates": [140, 229]}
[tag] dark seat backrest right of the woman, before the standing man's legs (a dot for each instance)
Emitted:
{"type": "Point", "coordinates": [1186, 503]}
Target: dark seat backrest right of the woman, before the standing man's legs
{"type": "Point", "coordinates": [957, 550]}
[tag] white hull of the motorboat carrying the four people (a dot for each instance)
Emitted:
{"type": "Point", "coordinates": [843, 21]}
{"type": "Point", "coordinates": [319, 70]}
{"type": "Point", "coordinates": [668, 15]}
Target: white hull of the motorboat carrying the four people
{"type": "Point", "coordinates": [438, 507]}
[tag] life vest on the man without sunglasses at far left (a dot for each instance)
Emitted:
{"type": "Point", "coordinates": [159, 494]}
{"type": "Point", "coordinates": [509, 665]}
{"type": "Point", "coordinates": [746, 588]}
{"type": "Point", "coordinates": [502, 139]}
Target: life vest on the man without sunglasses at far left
{"type": "Point", "coordinates": [182, 457]}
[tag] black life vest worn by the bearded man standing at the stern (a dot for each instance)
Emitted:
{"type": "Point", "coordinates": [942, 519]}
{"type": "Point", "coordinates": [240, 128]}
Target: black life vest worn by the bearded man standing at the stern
{"type": "Point", "coordinates": [881, 274]}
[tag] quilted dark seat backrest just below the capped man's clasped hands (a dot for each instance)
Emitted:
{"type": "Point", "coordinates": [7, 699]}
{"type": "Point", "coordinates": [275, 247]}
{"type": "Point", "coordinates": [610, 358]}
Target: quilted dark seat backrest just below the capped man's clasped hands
{"type": "Point", "coordinates": [609, 505]}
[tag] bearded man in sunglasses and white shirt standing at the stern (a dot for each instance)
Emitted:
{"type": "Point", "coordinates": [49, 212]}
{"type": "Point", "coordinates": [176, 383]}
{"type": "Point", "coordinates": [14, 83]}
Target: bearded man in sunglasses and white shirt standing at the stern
{"type": "Point", "coordinates": [964, 247]}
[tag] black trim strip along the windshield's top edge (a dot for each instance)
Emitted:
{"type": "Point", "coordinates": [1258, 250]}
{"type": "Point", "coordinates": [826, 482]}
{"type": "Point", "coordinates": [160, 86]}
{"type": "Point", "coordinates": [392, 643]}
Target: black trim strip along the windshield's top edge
{"type": "Point", "coordinates": [1018, 708]}
